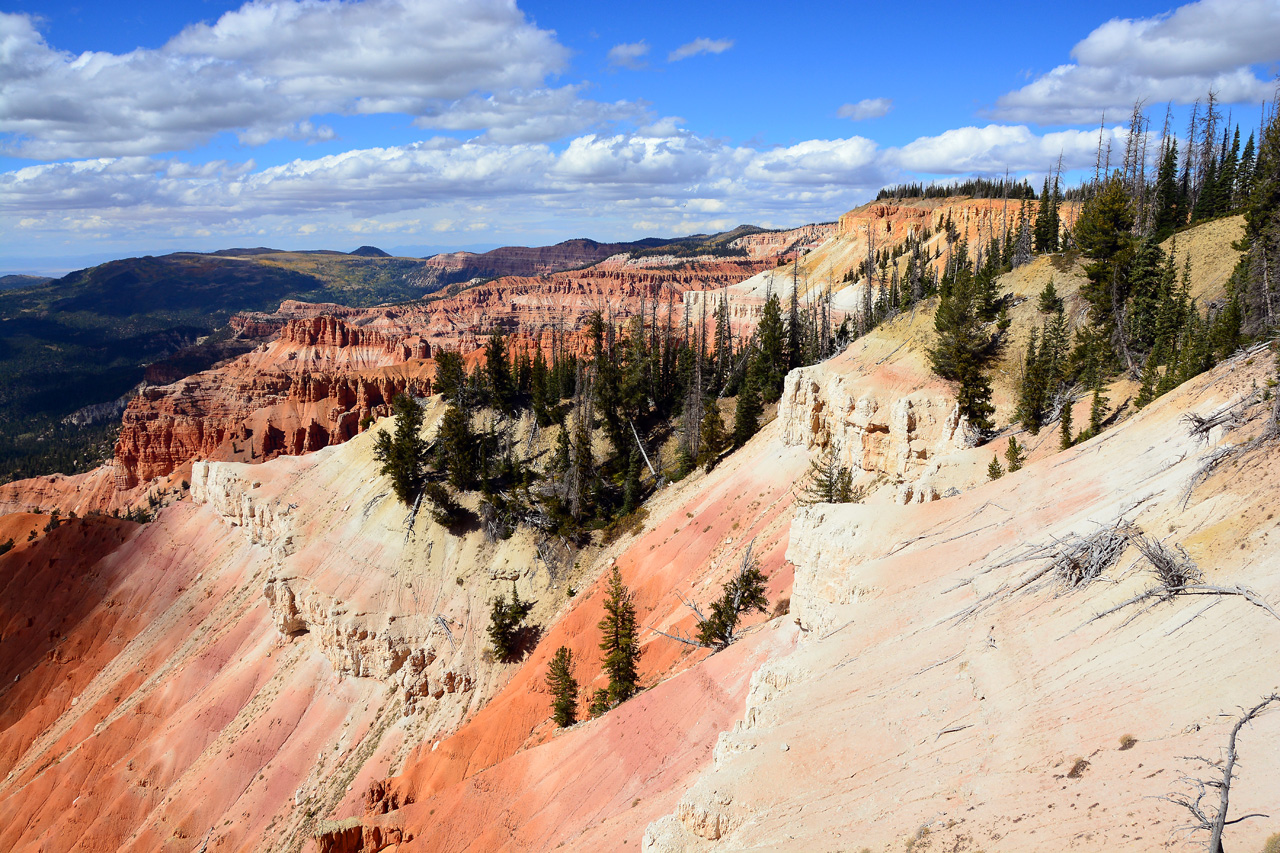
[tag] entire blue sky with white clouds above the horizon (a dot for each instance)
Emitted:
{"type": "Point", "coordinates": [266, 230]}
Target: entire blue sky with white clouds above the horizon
{"type": "Point", "coordinates": [428, 125]}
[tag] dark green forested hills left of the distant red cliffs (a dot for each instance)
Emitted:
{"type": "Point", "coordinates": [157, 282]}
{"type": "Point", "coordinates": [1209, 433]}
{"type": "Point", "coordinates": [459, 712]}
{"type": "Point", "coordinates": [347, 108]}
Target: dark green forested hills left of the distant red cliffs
{"type": "Point", "coordinates": [89, 337]}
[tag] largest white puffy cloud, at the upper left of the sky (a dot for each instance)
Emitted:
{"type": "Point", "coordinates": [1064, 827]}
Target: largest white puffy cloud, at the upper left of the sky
{"type": "Point", "coordinates": [267, 70]}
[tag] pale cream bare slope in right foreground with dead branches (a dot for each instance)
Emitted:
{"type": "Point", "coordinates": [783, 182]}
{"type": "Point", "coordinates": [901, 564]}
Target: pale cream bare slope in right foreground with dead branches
{"type": "Point", "coordinates": [949, 695]}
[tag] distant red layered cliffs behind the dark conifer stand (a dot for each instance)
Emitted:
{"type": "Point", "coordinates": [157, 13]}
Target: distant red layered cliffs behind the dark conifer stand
{"type": "Point", "coordinates": [332, 368]}
